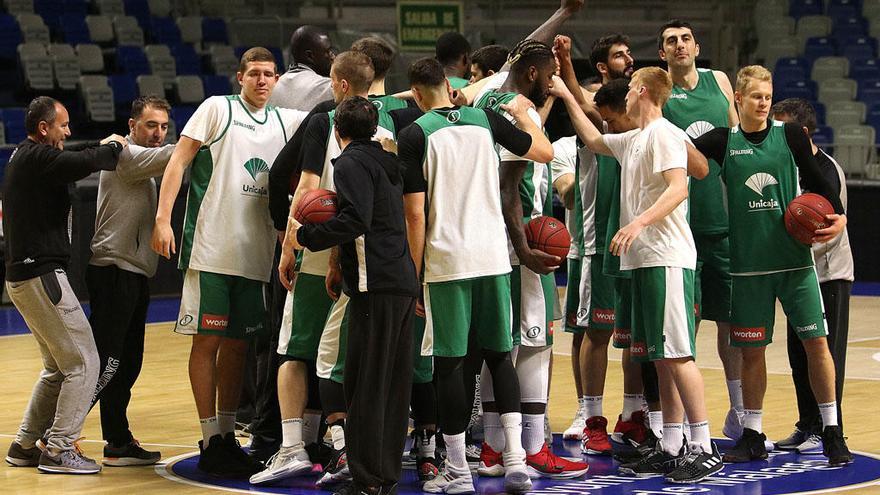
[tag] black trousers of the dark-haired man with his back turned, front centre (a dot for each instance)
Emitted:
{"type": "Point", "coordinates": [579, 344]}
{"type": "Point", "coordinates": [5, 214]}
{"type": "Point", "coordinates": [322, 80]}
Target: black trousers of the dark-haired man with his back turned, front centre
{"type": "Point", "coordinates": [378, 380]}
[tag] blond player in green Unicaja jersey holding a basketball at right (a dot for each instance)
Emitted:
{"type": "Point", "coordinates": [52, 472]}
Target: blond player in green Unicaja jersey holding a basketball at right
{"type": "Point", "coordinates": [761, 160]}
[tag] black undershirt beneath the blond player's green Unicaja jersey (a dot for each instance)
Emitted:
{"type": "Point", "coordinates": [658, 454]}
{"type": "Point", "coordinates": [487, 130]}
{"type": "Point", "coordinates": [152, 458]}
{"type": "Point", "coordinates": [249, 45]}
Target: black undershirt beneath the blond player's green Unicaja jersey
{"type": "Point", "coordinates": [713, 144]}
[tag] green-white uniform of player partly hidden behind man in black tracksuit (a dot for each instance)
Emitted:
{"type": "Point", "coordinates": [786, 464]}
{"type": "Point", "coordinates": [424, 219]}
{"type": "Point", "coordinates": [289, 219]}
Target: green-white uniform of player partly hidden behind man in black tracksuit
{"type": "Point", "coordinates": [308, 310]}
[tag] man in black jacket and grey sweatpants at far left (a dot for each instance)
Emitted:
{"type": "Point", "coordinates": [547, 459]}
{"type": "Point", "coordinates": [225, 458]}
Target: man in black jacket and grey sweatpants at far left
{"type": "Point", "coordinates": [36, 204]}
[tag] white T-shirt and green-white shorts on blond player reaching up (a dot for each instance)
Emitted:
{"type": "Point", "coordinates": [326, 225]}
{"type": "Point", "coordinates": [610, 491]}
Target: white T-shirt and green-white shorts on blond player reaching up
{"type": "Point", "coordinates": [662, 258]}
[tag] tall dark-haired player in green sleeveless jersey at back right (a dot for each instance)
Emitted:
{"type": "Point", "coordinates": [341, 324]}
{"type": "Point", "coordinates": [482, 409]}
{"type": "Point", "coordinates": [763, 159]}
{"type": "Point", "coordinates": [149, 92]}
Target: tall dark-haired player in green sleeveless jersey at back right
{"type": "Point", "coordinates": [701, 100]}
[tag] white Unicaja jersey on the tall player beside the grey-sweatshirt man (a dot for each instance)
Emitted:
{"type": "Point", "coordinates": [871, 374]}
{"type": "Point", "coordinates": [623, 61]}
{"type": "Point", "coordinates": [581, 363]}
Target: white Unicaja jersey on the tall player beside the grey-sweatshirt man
{"type": "Point", "coordinates": [227, 228]}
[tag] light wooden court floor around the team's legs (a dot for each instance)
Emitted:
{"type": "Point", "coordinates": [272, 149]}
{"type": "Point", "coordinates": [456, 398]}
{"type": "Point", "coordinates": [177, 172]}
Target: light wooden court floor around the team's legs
{"type": "Point", "coordinates": [163, 415]}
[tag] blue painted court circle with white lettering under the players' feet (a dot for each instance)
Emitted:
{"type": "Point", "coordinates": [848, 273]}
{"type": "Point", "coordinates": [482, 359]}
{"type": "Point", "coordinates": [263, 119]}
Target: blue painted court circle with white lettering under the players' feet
{"type": "Point", "coordinates": [782, 473]}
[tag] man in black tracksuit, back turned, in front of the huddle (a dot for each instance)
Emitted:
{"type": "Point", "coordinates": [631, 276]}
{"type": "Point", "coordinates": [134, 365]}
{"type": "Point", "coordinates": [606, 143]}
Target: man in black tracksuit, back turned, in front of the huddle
{"type": "Point", "coordinates": [378, 274]}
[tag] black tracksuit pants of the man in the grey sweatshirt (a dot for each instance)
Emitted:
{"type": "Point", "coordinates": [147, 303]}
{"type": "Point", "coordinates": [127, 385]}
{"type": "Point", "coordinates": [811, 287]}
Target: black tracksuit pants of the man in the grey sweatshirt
{"type": "Point", "coordinates": [119, 301]}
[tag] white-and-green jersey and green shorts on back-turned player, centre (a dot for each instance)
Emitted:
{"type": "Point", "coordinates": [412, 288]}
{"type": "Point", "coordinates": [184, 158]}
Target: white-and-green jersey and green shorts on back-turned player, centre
{"type": "Point", "coordinates": [467, 264]}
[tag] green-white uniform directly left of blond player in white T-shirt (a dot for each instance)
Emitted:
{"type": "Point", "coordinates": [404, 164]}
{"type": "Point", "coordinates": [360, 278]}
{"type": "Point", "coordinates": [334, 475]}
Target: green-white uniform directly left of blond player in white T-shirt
{"type": "Point", "coordinates": [589, 300]}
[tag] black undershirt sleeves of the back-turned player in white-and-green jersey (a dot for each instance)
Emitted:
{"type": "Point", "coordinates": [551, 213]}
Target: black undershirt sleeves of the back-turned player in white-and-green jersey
{"type": "Point", "coordinates": [411, 148]}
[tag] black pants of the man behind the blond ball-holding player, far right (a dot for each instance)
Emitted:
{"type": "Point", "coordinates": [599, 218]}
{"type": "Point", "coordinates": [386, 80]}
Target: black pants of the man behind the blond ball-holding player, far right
{"type": "Point", "coordinates": [835, 295]}
